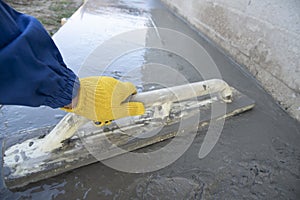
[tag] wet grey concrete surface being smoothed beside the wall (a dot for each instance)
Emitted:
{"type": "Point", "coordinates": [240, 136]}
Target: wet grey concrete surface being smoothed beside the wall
{"type": "Point", "coordinates": [257, 156]}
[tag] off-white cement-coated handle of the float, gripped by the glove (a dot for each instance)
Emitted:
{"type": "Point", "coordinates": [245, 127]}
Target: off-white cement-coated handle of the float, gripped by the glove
{"type": "Point", "coordinates": [156, 98]}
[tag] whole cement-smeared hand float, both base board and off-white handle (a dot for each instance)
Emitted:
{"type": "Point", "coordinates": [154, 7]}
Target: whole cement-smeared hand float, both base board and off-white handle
{"type": "Point", "coordinates": [46, 152]}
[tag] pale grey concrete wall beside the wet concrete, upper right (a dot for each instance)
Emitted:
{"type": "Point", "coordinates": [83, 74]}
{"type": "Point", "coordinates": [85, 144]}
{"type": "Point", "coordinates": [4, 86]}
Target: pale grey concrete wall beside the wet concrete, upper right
{"type": "Point", "coordinates": [262, 35]}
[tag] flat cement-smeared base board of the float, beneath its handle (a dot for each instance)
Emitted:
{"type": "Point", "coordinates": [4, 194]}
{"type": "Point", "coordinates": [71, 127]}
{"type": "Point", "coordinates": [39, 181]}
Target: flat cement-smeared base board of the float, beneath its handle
{"type": "Point", "coordinates": [23, 164]}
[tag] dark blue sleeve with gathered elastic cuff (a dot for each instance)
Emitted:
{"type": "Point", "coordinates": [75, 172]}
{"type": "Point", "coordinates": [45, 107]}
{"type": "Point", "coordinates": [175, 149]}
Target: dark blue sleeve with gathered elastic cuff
{"type": "Point", "coordinates": [32, 71]}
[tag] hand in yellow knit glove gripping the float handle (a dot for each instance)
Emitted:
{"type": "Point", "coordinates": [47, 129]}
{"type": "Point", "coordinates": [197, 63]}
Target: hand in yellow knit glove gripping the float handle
{"type": "Point", "coordinates": [101, 99]}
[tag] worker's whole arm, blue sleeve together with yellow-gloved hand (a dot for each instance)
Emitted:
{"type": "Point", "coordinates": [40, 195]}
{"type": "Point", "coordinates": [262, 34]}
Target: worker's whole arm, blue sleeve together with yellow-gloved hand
{"type": "Point", "coordinates": [32, 73]}
